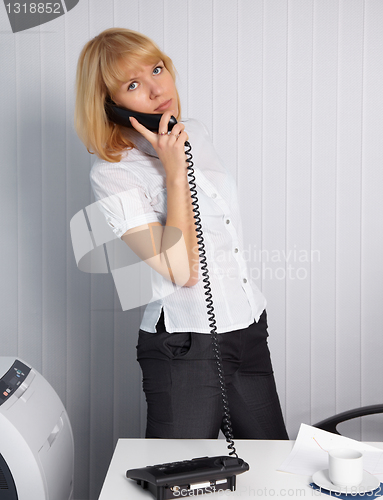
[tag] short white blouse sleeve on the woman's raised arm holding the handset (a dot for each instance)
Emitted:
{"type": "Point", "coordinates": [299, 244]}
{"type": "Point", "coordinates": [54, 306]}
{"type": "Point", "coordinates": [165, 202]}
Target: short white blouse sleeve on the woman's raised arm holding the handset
{"type": "Point", "coordinates": [121, 196]}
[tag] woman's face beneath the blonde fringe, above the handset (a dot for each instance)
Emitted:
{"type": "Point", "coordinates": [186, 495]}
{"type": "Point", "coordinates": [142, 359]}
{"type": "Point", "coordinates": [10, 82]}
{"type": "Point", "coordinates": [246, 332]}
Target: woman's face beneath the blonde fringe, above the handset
{"type": "Point", "coordinates": [148, 89]}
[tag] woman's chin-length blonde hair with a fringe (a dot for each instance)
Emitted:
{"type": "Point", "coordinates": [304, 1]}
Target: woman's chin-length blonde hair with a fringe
{"type": "Point", "coordinates": [101, 69]}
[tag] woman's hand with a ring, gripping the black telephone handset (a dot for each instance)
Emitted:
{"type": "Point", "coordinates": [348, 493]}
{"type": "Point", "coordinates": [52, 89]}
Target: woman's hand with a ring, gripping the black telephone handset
{"type": "Point", "coordinates": [169, 147]}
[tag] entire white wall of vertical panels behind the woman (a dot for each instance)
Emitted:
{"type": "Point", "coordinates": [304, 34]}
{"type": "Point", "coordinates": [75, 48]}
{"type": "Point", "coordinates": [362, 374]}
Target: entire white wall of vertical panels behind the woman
{"type": "Point", "coordinates": [291, 93]}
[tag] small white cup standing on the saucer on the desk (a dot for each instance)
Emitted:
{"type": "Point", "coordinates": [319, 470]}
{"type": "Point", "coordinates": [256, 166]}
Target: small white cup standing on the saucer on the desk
{"type": "Point", "coordinates": [345, 467]}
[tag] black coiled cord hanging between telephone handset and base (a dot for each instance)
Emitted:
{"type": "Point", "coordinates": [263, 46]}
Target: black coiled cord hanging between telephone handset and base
{"type": "Point", "coordinates": [209, 302]}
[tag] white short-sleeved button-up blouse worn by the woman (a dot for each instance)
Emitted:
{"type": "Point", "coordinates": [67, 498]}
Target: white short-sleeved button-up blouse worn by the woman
{"type": "Point", "coordinates": [138, 184]}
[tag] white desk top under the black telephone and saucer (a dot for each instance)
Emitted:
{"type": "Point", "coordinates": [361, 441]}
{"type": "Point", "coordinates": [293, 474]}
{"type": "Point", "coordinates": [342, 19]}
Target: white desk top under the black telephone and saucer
{"type": "Point", "coordinates": [262, 480]}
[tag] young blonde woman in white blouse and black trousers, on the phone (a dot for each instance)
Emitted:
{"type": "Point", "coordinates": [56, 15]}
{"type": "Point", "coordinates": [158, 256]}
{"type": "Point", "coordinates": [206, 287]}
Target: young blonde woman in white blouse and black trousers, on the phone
{"type": "Point", "coordinates": [140, 179]}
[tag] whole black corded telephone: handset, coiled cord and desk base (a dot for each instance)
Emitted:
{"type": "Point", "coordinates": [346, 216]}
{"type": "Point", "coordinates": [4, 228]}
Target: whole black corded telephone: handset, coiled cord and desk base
{"type": "Point", "coordinates": [199, 474]}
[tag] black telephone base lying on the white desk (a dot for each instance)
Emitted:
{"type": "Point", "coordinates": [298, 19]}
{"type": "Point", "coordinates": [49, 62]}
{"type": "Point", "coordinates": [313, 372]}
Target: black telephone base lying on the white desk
{"type": "Point", "coordinates": [189, 477]}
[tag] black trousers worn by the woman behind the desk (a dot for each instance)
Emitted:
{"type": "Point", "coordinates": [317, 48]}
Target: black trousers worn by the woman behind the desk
{"type": "Point", "coordinates": [180, 381]}
